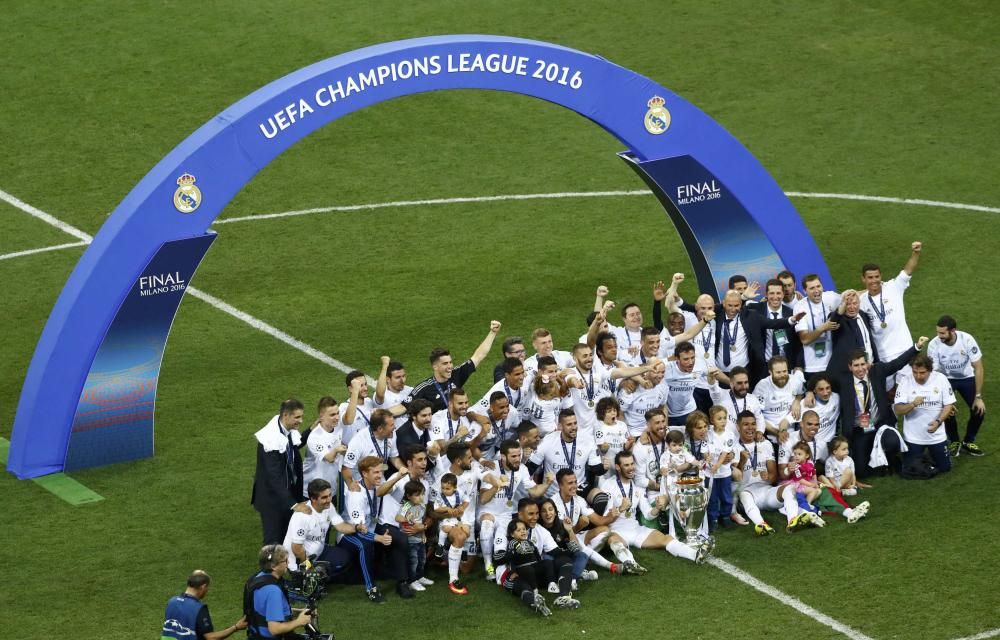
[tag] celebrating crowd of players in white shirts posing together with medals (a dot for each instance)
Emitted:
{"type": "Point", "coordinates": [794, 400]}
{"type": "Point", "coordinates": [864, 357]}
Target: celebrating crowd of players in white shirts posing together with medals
{"type": "Point", "coordinates": [576, 445]}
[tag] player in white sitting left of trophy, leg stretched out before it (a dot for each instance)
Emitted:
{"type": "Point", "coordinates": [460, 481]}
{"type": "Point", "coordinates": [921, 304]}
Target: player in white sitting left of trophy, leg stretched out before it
{"type": "Point", "coordinates": [627, 499]}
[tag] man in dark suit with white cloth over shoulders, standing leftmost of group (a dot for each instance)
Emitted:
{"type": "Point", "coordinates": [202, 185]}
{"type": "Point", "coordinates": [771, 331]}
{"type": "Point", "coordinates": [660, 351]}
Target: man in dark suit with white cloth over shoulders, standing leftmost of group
{"type": "Point", "coordinates": [277, 484]}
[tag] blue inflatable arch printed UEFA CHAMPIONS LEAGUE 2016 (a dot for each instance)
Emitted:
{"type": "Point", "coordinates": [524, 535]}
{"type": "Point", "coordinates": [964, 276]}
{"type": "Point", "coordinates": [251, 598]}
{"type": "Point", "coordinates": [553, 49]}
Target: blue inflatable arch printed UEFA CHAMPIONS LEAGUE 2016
{"type": "Point", "coordinates": [89, 393]}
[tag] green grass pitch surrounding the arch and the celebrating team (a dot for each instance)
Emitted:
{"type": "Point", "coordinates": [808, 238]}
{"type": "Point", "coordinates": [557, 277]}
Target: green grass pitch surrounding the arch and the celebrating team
{"type": "Point", "coordinates": [879, 97]}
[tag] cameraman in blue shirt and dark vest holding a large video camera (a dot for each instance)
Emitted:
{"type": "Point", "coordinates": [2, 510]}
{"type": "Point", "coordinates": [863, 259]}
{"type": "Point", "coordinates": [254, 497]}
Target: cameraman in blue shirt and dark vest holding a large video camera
{"type": "Point", "coordinates": [265, 600]}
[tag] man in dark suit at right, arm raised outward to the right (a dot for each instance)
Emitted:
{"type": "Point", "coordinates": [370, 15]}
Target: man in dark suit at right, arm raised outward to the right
{"type": "Point", "coordinates": [864, 406]}
